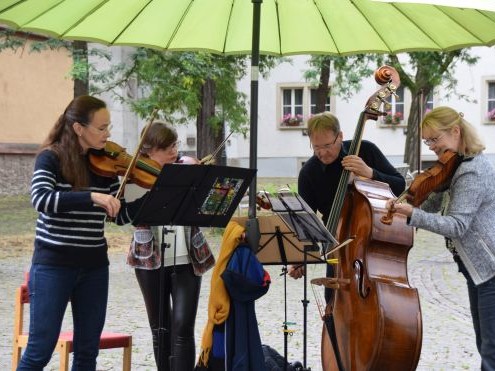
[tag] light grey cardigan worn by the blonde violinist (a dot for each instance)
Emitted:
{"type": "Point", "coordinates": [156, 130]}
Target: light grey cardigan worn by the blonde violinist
{"type": "Point", "coordinates": [469, 219]}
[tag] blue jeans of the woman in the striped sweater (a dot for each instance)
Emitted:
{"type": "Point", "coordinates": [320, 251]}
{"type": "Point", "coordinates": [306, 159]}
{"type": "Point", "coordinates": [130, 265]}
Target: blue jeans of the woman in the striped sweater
{"type": "Point", "coordinates": [50, 290]}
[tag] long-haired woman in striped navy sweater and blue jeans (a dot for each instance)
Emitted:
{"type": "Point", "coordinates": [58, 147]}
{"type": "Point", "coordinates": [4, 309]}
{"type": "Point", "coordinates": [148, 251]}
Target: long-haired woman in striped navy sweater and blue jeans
{"type": "Point", "coordinates": [70, 261]}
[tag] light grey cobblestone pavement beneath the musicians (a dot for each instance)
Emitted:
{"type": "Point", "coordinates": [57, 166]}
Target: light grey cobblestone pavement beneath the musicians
{"type": "Point", "coordinates": [448, 337]}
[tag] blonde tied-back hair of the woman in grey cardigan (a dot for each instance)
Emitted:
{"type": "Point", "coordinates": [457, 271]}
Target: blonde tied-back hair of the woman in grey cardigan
{"type": "Point", "coordinates": [444, 119]}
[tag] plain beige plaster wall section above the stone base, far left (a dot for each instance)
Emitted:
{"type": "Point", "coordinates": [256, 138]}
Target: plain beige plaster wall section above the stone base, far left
{"type": "Point", "coordinates": [34, 90]}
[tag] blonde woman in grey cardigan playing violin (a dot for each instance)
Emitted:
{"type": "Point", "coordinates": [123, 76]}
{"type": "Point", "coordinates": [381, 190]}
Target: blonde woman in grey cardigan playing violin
{"type": "Point", "coordinates": [467, 220]}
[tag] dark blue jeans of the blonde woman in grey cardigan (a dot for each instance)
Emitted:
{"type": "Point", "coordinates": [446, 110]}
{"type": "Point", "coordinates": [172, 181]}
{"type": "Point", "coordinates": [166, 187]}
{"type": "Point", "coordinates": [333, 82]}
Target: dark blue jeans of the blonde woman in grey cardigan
{"type": "Point", "coordinates": [482, 303]}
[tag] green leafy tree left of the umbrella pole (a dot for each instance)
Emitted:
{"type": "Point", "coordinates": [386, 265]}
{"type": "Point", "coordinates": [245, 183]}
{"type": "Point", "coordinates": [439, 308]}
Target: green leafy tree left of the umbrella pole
{"type": "Point", "coordinates": [185, 86]}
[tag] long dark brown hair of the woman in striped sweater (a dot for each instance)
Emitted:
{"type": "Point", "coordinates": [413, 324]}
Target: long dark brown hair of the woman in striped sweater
{"type": "Point", "coordinates": [63, 140]}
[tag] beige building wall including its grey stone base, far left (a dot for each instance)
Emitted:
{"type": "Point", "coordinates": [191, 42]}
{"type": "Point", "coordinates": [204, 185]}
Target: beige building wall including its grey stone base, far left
{"type": "Point", "coordinates": [34, 90]}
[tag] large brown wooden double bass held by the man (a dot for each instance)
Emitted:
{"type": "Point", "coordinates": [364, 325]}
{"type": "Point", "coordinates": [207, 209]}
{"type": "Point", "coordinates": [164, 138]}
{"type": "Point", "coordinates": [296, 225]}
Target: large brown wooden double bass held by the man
{"type": "Point", "coordinates": [373, 321]}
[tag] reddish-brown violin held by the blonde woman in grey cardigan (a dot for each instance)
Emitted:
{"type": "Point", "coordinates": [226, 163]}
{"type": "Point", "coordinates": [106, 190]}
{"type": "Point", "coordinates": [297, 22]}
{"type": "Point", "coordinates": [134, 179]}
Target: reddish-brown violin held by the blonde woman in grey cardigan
{"type": "Point", "coordinates": [434, 179]}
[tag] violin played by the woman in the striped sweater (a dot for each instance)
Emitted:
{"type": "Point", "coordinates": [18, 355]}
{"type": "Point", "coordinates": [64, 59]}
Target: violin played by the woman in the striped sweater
{"type": "Point", "coordinates": [113, 160]}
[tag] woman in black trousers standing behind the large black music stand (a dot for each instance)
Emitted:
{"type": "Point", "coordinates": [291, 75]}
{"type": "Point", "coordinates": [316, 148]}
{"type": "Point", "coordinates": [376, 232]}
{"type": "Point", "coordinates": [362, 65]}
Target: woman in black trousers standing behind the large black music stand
{"type": "Point", "coordinates": [182, 278]}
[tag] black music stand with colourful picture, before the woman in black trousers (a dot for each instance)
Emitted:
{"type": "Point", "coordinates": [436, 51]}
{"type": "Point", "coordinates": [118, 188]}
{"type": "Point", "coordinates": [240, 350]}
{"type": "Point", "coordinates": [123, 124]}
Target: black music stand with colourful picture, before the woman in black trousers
{"type": "Point", "coordinates": [202, 196]}
